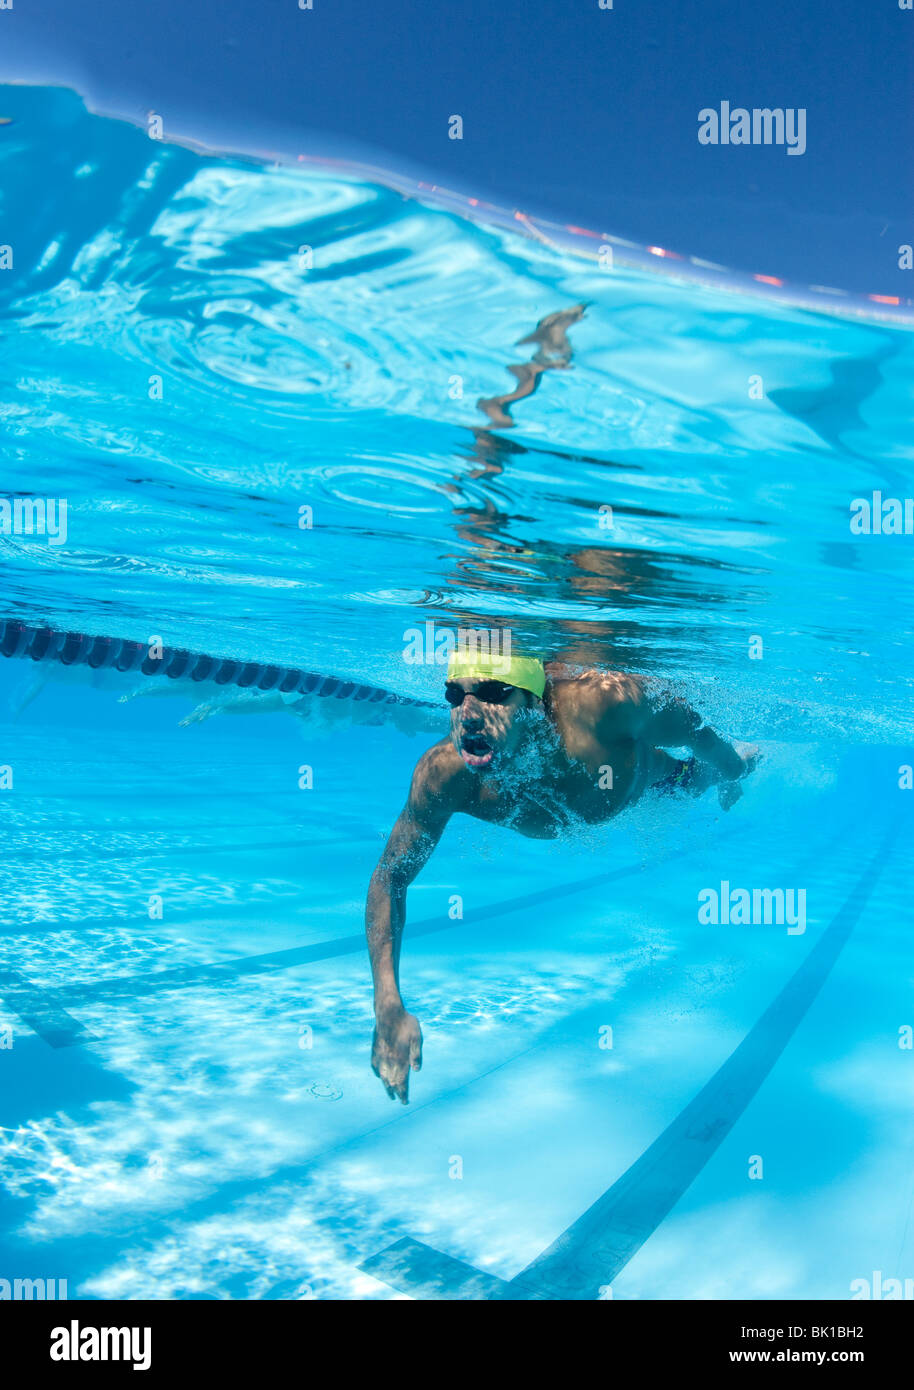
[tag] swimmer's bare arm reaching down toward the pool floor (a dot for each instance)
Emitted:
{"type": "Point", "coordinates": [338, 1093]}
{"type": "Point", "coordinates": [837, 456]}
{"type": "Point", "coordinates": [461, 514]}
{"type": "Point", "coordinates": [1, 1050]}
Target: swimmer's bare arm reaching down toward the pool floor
{"type": "Point", "coordinates": [398, 1042]}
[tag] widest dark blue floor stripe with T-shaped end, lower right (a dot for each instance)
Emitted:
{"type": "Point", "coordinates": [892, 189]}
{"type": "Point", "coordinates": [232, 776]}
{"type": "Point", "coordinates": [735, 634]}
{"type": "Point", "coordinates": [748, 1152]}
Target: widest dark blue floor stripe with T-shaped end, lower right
{"type": "Point", "coordinates": [597, 1248]}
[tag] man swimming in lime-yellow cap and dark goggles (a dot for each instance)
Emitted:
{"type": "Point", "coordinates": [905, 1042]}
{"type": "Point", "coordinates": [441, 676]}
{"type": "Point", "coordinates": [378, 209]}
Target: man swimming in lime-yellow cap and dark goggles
{"type": "Point", "coordinates": [535, 749]}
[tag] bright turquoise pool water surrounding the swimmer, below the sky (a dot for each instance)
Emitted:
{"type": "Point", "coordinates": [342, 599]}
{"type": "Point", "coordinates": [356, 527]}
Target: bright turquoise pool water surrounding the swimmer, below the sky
{"type": "Point", "coordinates": [178, 375]}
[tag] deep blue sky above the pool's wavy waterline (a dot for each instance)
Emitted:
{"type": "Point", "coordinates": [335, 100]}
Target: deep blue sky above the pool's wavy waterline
{"type": "Point", "coordinates": [584, 113]}
